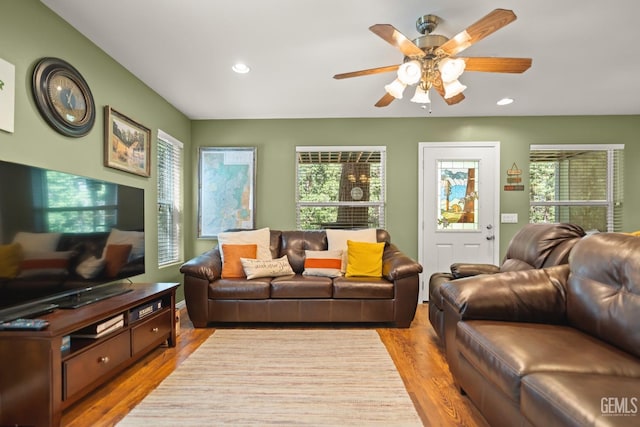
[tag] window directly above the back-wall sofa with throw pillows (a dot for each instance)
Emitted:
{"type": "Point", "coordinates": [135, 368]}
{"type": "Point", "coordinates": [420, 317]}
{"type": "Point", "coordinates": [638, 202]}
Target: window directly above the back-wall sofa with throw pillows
{"type": "Point", "coordinates": [340, 187]}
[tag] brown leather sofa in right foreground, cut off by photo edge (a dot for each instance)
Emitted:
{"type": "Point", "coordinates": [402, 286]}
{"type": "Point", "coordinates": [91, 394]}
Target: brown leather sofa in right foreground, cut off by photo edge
{"type": "Point", "coordinates": [558, 346]}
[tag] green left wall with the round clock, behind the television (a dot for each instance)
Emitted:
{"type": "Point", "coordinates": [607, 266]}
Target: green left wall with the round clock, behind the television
{"type": "Point", "coordinates": [30, 31]}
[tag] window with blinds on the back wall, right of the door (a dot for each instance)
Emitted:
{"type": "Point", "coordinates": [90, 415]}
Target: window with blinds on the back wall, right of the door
{"type": "Point", "coordinates": [581, 184]}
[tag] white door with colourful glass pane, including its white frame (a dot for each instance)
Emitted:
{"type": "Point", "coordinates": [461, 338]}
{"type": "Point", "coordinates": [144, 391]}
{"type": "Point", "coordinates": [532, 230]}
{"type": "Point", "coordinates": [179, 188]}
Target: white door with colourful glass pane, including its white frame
{"type": "Point", "coordinates": [459, 202]}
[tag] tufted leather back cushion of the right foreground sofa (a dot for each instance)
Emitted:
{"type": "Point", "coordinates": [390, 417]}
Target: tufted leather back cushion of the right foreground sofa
{"type": "Point", "coordinates": [603, 289]}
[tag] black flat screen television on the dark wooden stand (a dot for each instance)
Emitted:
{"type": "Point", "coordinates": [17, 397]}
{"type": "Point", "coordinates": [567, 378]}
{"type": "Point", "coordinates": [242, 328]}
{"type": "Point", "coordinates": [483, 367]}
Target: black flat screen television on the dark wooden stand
{"type": "Point", "coordinates": [65, 240]}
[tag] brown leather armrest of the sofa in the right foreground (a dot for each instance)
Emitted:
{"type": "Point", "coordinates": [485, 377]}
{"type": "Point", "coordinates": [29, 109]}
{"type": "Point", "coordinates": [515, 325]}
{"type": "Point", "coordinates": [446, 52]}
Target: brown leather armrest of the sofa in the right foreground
{"type": "Point", "coordinates": [522, 296]}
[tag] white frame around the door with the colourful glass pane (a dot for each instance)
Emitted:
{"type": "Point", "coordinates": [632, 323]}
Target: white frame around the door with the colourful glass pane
{"type": "Point", "coordinates": [423, 294]}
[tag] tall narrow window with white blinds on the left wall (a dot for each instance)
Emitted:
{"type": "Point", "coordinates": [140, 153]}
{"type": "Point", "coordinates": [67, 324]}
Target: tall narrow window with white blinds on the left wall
{"type": "Point", "coordinates": [169, 199]}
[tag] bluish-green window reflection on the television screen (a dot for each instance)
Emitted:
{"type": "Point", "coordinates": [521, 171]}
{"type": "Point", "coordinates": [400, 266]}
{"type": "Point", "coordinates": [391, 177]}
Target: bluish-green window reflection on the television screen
{"type": "Point", "coordinates": [71, 202]}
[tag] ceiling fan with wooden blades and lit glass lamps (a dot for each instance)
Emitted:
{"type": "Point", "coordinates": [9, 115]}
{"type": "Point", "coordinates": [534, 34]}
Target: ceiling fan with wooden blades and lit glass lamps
{"type": "Point", "coordinates": [430, 61]}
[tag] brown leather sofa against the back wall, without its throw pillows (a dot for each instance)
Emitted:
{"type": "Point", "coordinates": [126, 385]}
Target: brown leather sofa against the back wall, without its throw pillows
{"type": "Point", "coordinates": [390, 299]}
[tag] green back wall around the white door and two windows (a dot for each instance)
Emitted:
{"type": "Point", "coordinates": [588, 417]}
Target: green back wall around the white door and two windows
{"type": "Point", "coordinates": [276, 140]}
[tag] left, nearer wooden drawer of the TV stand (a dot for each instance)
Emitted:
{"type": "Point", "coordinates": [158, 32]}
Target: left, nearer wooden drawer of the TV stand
{"type": "Point", "coordinates": [82, 370]}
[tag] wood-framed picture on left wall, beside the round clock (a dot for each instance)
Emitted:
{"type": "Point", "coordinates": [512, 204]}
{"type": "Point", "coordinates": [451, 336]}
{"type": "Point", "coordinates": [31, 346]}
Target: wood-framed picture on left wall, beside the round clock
{"type": "Point", "coordinates": [127, 143]}
